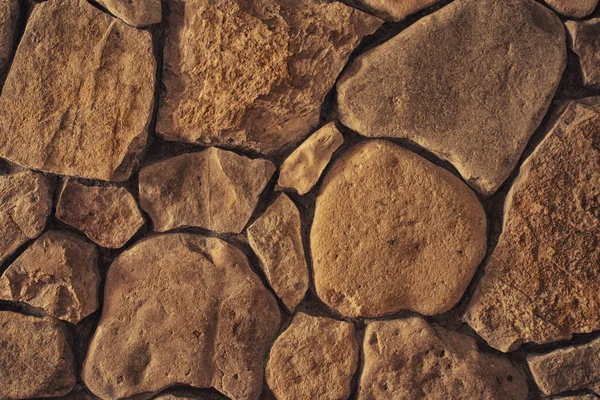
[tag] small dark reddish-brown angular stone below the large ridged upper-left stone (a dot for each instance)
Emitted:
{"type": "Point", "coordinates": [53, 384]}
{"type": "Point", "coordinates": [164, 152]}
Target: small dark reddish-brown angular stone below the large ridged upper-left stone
{"type": "Point", "coordinates": [108, 215]}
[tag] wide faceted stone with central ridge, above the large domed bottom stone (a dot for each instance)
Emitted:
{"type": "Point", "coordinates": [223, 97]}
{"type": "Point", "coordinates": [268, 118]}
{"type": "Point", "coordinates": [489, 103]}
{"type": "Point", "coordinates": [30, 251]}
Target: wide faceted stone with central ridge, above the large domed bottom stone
{"type": "Point", "coordinates": [214, 189]}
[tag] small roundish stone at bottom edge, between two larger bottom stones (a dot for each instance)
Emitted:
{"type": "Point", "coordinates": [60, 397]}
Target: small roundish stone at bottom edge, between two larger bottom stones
{"type": "Point", "coordinates": [315, 358]}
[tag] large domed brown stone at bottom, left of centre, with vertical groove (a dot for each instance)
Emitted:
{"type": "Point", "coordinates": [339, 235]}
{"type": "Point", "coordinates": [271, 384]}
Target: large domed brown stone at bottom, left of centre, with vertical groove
{"type": "Point", "coordinates": [181, 309]}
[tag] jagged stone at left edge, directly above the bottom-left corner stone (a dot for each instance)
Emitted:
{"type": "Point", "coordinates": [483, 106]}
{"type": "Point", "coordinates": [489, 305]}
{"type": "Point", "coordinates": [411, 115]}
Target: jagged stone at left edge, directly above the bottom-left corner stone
{"type": "Point", "coordinates": [57, 273]}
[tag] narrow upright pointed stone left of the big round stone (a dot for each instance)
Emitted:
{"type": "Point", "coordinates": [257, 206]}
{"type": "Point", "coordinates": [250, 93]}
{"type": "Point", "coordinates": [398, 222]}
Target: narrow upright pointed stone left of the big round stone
{"type": "Point", "coordinates": [276, 238]}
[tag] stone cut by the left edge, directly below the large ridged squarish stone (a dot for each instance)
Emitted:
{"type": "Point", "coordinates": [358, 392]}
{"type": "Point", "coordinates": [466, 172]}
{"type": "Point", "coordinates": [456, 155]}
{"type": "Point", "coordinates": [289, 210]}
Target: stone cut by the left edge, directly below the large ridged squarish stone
{"type": "Point", "coordinates": [25, 204]}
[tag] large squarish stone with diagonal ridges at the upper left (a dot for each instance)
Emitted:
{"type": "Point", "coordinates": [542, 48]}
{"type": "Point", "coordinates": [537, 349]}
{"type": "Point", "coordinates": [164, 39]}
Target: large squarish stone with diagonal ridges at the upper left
{"type": "Point", "coordinates": [79, 94]}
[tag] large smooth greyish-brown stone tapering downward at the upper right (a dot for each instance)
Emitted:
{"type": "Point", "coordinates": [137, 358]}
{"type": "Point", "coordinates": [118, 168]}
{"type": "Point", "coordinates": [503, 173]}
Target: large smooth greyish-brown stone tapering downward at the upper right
{"type": "Point", "coordinates": [470, 82]}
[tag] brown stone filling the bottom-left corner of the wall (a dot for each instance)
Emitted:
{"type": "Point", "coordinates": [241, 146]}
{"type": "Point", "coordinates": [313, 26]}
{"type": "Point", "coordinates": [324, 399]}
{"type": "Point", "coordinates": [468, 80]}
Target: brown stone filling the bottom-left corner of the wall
{"type": "Point", "coordinates": [36, 360]}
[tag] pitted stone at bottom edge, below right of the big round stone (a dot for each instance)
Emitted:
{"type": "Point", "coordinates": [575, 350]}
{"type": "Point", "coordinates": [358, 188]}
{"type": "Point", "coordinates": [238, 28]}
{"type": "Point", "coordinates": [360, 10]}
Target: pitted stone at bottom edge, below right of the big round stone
{"type": "Point", "coordinates": [410, 359]}
